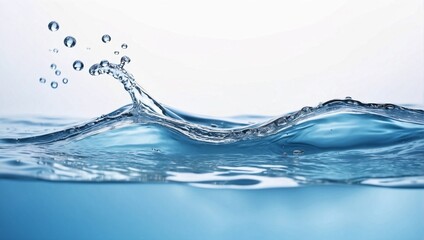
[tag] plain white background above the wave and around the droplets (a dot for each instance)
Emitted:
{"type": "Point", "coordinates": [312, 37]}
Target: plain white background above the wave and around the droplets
{"type": "Point", "coordinates": [218, 58]}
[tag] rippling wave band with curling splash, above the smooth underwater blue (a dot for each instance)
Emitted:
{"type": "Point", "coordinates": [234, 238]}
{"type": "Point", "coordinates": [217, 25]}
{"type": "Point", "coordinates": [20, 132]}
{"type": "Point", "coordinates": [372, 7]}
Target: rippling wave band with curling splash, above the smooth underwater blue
{"type": "Point", "coordinates": [337, 142]}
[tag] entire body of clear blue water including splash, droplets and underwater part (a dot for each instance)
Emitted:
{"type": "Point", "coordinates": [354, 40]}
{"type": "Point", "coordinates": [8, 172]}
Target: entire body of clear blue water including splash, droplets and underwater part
{"type": "Point", "coordinates": [312, 169]}
